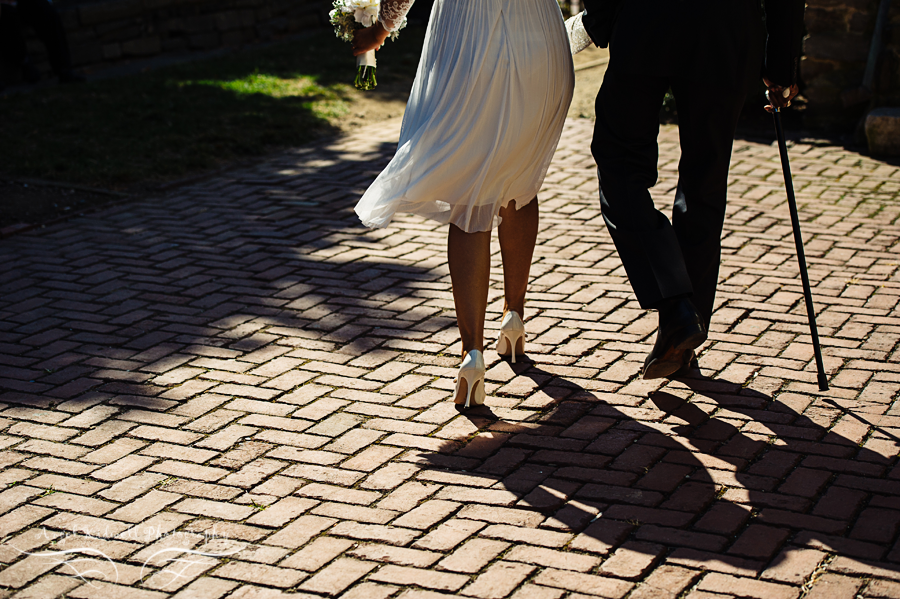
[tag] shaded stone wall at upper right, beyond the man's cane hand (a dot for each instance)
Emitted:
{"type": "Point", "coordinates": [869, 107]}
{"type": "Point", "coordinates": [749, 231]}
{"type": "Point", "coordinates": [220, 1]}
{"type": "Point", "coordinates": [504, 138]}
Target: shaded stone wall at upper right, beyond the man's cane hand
{"type": "Point", "coordinates": [835, 51]}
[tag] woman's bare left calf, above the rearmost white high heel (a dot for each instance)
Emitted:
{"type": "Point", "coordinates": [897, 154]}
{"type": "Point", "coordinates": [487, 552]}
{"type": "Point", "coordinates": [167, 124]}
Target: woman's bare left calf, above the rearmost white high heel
{"type": "Point", "coordinates": [469, 255]}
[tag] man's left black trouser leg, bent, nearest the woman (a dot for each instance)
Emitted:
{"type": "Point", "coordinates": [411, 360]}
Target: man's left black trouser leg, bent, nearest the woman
{"type": "Point", "coordinates": [625, 148]}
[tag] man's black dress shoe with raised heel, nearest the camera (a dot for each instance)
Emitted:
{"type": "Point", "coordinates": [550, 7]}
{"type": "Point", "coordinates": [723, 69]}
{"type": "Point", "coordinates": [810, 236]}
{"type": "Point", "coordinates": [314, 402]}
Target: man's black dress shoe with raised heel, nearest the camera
{"type": "Point", "coordinates": [680, 331]}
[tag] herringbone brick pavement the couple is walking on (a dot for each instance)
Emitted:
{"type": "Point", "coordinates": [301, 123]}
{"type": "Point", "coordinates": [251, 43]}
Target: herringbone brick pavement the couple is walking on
{"type": "Point", "coordinates": [234, 390]}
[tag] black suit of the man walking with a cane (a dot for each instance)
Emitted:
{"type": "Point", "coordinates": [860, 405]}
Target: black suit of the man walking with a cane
{"type": "Point", "coordinates": [710, 53]}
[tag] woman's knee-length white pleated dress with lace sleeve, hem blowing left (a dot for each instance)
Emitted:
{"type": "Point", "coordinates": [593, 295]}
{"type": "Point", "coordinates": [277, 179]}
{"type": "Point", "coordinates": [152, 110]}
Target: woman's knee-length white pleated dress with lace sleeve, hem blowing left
{"type": "Point", "coordinates": [484, 117]}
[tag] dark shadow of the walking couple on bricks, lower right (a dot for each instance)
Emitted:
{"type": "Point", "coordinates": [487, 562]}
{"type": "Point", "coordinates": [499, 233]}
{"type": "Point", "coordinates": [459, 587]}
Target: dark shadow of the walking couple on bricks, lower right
{"type": "Point", "coordinates": [710, 492]}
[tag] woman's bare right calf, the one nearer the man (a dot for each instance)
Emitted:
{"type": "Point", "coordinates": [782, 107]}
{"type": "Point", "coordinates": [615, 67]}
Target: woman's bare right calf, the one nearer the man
{"type": "Point", "coordinates": [518, 235]}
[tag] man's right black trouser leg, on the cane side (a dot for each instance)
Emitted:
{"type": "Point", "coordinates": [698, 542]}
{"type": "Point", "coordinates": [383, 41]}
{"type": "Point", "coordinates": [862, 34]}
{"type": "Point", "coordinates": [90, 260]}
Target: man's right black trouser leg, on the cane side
{"type": "Point", "coordinates": [707, 119]}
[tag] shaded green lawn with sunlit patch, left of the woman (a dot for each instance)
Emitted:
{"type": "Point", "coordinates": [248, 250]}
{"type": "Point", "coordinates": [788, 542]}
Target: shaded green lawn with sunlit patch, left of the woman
{"type": "Point", "coordinates": [188, 118]}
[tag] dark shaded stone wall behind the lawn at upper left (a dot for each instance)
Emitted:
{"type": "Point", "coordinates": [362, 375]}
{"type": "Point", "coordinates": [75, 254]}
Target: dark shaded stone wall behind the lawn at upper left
{"type": "Point", "coordinates": [108, 32]}
